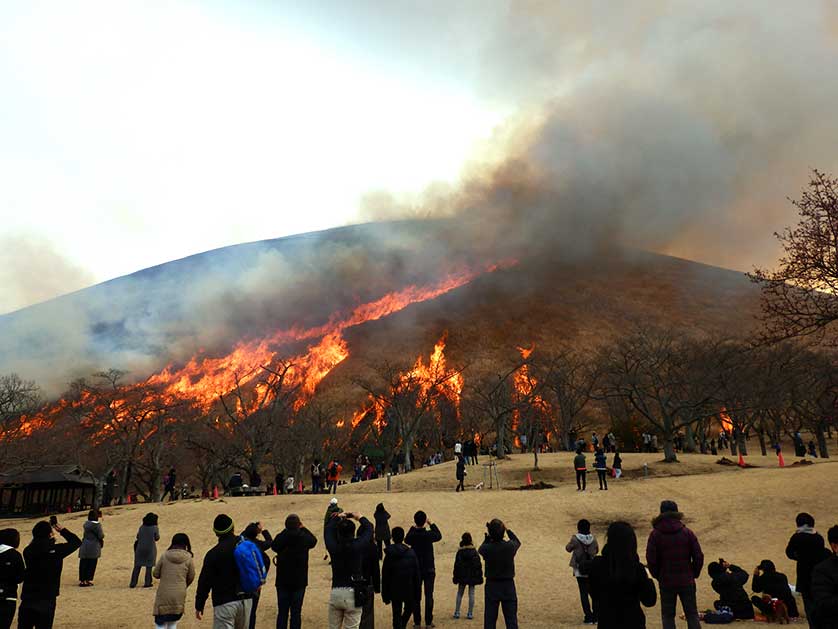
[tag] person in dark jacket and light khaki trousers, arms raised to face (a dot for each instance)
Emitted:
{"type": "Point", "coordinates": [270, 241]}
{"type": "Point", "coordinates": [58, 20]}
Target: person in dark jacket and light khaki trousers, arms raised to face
{"type": "Point", "coordinates": [347, 551]}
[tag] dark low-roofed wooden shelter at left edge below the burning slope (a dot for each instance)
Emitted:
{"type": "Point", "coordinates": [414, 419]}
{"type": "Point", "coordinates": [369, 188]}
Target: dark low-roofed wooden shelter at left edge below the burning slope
{"type": "Point", "coordinates": [47, 489]}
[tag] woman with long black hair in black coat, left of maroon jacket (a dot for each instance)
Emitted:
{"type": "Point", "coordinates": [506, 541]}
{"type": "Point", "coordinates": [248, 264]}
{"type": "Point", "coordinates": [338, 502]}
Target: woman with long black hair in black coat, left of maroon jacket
{"type": "Point", "coordinates": [619, 582]}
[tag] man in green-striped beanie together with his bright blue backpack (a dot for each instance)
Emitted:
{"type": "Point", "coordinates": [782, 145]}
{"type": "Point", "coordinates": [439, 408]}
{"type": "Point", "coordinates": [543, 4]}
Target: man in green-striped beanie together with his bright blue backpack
{"type": "Point", "coordinates": [222, 576]}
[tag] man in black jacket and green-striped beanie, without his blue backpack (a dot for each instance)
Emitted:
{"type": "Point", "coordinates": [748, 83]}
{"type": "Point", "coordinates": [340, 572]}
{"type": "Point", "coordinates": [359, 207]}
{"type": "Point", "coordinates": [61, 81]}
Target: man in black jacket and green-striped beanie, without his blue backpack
{"type": "Point", "coordinates": [220, 575]}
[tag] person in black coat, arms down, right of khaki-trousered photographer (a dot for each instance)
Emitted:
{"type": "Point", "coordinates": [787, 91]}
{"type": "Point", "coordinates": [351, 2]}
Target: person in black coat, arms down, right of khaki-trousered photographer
{"type": "Point", "coordinates": [401, 581]}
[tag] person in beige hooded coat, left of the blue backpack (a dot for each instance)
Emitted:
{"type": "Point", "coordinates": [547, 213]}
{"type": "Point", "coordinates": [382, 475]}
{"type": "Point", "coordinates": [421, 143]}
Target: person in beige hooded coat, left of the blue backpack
{"type": "Point", "coordinates": [176, 571]}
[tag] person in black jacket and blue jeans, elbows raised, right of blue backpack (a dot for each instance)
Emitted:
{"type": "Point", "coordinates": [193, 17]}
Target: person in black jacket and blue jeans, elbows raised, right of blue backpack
{"type": "Point", "coordinates": [291, 548]}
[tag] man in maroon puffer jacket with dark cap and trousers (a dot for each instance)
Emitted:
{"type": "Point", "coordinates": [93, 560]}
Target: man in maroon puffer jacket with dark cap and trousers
{"type": "Point", "coordinates": [674, 557]}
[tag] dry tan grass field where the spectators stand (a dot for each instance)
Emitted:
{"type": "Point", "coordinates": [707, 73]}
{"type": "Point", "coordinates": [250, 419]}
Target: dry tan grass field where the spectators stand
{"type": "Point", "coordinates": [743, 515]}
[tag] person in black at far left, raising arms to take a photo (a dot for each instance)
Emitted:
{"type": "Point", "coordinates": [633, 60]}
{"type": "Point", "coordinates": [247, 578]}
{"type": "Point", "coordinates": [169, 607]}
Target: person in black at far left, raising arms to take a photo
{"type": "Point", "coordinates": [42, 578]}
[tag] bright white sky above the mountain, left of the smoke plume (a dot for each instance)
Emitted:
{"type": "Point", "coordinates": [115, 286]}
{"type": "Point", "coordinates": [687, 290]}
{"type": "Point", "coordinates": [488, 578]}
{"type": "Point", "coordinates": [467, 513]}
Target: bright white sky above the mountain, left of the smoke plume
{"type": "Point", "coordinates": [134, 133]}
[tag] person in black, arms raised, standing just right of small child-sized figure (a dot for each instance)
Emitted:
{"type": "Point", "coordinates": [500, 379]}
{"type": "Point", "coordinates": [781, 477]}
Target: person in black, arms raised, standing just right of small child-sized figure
{"type": "Point", "coordinates": [499, 555]}
